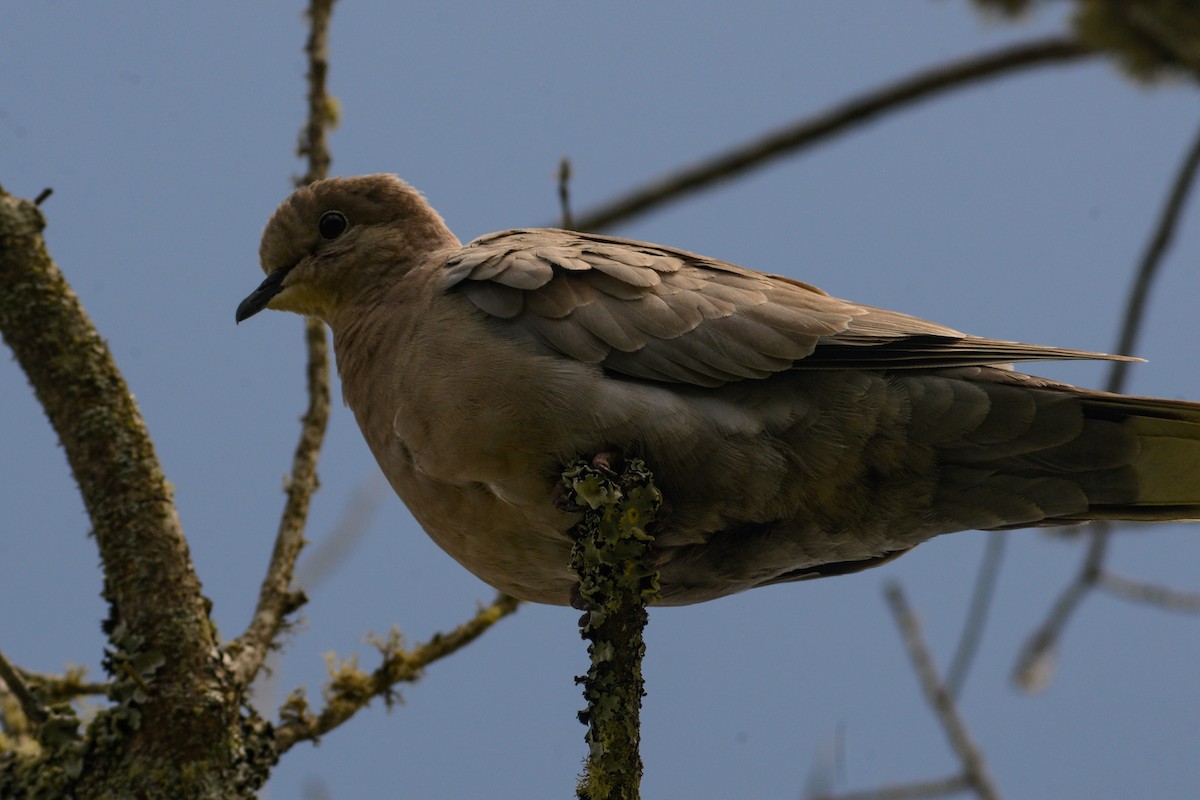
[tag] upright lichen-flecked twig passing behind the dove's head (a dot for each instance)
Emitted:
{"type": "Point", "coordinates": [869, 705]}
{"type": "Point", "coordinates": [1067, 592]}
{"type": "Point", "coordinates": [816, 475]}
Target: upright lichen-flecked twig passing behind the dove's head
{"type": "Point", "coordinates": [277, 598]}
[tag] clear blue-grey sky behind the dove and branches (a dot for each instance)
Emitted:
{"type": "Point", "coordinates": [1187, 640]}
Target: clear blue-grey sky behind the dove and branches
{"type": "Point", "coordinates": [1015, 210]}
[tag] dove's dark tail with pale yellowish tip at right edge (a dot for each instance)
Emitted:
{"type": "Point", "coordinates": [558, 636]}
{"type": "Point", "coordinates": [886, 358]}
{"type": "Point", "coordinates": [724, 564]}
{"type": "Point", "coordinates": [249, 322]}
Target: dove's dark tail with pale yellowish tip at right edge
{"type": "Point", "coordinates": [1043, 454]}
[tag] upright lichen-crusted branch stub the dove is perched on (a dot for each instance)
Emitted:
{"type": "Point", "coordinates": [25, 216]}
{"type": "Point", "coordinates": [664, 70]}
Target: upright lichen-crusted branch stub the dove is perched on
{"type": "Point", "coordinates": [614, 557]}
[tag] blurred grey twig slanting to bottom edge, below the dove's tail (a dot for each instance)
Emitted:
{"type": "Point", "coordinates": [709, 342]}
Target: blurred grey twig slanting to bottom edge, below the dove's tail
{"type": "Point", "coordinates": [975, 769]}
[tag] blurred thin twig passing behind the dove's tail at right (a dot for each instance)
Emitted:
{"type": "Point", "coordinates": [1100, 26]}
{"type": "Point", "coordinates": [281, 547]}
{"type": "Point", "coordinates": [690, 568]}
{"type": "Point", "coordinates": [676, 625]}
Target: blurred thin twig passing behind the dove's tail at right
{"type": "Point", "coordinates": [1035, 666]}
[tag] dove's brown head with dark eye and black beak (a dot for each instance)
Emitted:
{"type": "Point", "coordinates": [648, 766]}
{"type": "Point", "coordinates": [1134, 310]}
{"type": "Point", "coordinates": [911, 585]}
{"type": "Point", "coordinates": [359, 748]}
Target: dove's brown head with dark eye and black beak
{"type": "Point", "coordinates": [340, 238]}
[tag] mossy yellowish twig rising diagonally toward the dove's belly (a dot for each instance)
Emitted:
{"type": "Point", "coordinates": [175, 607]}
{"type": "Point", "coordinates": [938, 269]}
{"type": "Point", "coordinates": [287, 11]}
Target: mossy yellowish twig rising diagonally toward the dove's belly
{"type": "Point", "coordinates": [353, 690]}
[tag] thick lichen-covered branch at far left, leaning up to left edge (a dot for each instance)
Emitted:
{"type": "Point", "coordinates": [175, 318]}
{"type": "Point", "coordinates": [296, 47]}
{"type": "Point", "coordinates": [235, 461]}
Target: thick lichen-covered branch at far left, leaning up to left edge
{"type": "Point", "coordinates": [158, 617]}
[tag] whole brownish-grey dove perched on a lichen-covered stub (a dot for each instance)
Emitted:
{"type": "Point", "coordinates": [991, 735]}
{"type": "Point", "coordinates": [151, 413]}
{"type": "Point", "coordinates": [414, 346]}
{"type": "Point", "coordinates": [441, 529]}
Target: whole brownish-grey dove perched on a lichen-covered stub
{"type": "Point", "coordinates": [794, 435]}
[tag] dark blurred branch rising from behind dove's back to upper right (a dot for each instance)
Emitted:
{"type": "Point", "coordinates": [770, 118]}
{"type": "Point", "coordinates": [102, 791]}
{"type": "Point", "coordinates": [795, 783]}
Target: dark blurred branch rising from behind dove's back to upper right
{"type": "Point", "coordinates": [811, 131]}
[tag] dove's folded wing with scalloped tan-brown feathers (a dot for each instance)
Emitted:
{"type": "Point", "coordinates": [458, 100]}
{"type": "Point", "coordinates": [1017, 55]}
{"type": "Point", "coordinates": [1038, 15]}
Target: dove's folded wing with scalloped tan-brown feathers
{"type": "Point", "coordinates": [658, 314]}
